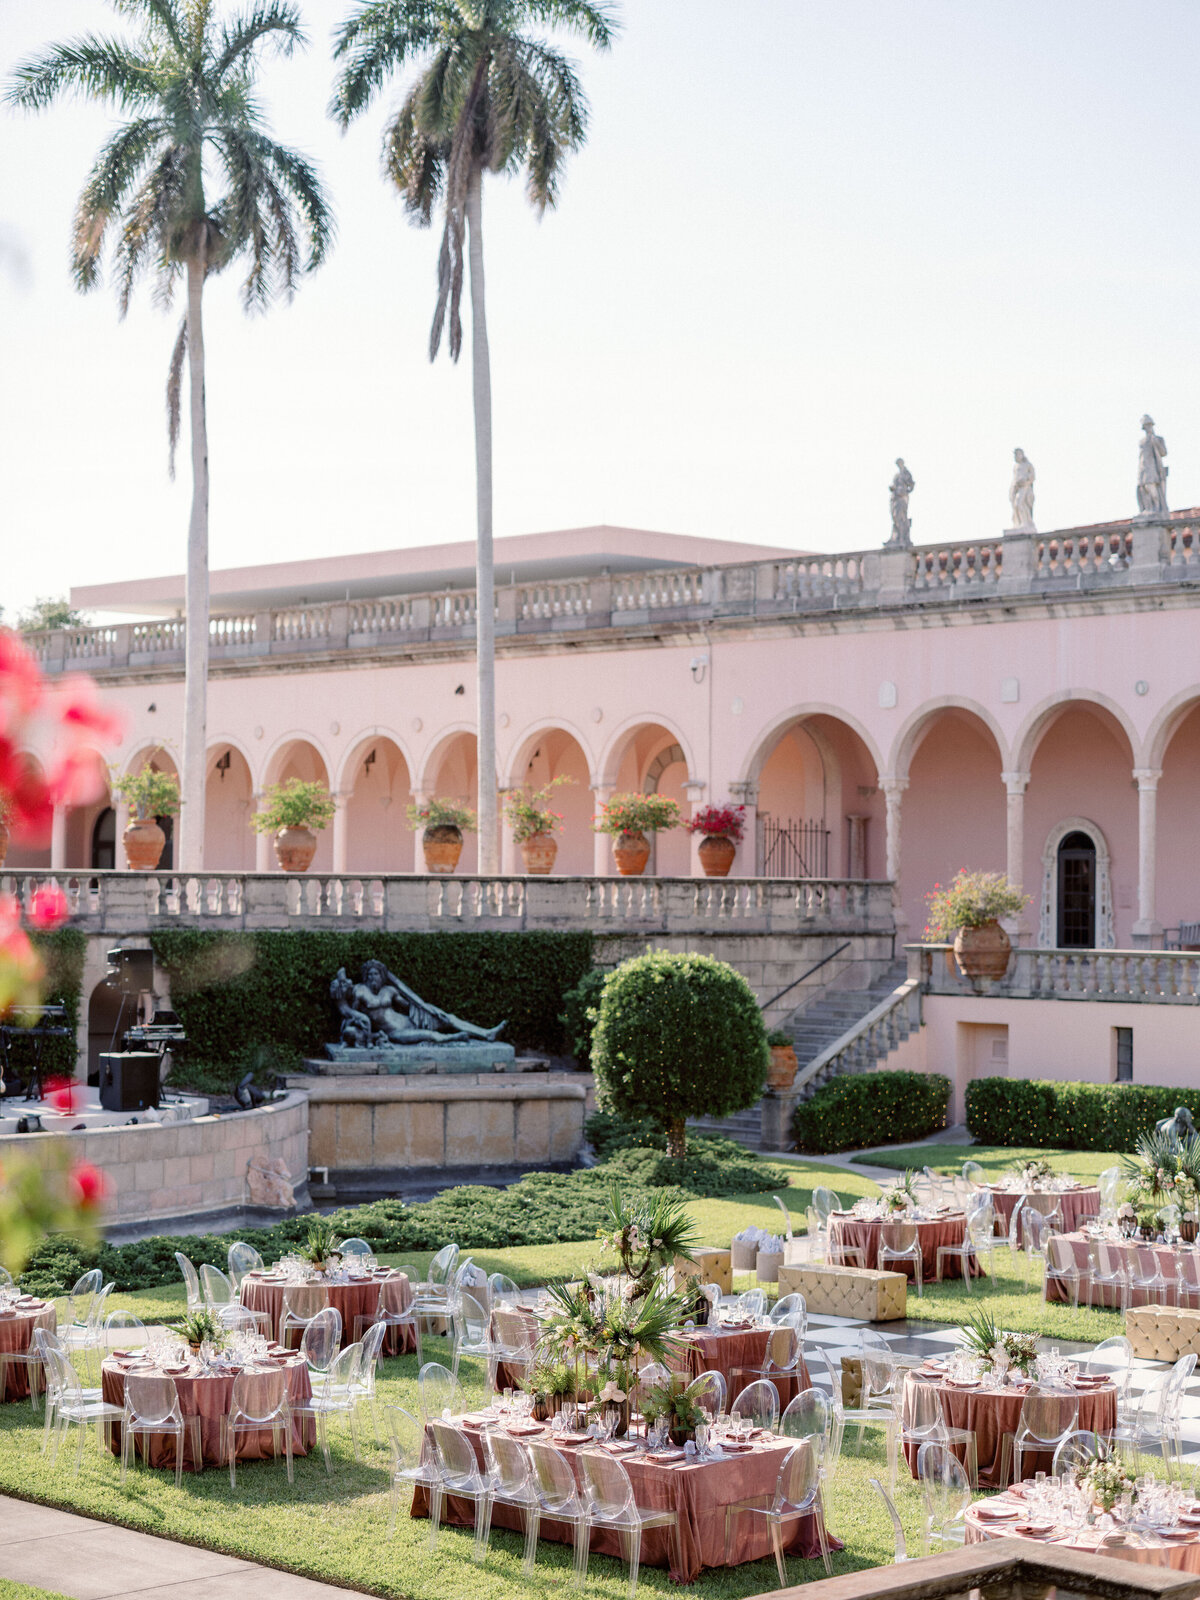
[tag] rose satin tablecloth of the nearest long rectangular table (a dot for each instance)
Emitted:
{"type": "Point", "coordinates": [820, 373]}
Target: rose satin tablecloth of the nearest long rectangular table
{"type": "Point", "coordinates": [698, 1494]}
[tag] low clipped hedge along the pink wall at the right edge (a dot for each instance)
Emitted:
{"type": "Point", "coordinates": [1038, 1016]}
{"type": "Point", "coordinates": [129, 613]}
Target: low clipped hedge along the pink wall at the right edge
{"type": "Point", "coordinates": [1068, 1116]}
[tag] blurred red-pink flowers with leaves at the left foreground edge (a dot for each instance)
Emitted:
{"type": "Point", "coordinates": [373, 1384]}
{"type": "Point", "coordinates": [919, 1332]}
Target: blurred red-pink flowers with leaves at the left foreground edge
{"type": "Point", "coordinates": [54, 1194]}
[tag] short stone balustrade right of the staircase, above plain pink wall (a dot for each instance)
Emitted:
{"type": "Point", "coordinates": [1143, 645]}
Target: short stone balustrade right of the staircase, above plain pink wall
{"type": "Point", "coordinates": [1140, 977]}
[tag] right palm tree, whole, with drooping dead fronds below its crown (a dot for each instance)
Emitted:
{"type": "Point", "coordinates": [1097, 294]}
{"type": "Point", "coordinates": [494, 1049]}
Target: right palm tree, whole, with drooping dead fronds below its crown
{"type": "Point", "coordinates": [489, 98]}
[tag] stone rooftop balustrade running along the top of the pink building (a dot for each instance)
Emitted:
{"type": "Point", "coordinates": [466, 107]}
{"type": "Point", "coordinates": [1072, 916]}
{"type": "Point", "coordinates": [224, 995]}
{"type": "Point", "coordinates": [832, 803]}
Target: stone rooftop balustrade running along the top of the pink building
{"type": "Point", "coordinates": [1066, 564]}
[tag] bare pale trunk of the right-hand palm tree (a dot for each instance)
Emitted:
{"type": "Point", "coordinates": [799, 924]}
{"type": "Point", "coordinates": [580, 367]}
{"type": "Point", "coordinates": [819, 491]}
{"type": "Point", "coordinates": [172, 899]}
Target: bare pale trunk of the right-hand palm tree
{"type": "Point", "coordinates": [486, 588]}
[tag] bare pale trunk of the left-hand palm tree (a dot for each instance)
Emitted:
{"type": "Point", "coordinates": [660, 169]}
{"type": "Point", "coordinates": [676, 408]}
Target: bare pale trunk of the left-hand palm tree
{"type": "Point", "coordinates": [191, 855]}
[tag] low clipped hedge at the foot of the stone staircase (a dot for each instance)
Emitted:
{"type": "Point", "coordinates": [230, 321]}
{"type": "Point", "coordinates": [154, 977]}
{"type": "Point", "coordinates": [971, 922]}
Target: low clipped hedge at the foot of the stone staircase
{"type": "Point", "coordinates": [871, 1108]}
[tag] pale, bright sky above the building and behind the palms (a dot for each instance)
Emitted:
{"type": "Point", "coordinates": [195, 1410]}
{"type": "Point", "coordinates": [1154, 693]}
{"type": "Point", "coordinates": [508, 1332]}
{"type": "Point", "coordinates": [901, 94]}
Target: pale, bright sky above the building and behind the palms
{"type": "Point", "coordinates": [804, 239]}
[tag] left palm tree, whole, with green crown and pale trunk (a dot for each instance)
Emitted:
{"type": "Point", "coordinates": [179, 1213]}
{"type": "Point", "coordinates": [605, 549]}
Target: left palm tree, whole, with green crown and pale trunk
{"type": "Point", "coordinates": [188, 86]}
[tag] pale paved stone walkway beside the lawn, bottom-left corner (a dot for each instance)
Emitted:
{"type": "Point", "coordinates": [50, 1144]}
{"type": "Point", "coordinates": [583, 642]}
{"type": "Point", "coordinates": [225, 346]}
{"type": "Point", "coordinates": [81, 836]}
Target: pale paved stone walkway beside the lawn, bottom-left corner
{"type": "Point", "coordinates": [97, 1561]}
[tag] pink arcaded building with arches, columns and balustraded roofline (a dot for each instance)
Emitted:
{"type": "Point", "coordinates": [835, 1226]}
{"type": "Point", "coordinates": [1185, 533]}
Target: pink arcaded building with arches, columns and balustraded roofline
{"type": "Point", "coordinates": [1026, 703]}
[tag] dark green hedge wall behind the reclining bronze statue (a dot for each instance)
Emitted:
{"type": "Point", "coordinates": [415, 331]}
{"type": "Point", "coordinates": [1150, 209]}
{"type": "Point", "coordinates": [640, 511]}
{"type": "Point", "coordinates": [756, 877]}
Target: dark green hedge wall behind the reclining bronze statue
{"type": "Point", "coordinates": [263, 999]}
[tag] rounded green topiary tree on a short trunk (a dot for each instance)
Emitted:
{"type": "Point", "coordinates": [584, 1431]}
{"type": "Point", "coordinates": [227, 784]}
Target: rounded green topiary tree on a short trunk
{"type": "Point", "coordinates": [679, 1036]}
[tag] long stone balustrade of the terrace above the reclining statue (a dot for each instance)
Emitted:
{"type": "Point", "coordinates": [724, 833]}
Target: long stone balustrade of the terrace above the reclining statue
{"type": "Point", "coordinates": [145, 902]}
